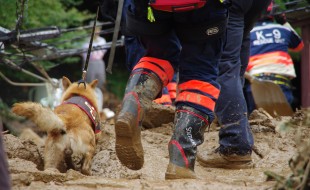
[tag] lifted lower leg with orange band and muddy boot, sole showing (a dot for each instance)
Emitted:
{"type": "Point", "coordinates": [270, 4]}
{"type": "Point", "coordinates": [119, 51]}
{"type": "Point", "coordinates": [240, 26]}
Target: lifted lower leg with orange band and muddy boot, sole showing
{"type": "Point", "coordinates": [146, 81]}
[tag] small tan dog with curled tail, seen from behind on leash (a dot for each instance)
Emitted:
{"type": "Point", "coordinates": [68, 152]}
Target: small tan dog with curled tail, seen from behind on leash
{"type": "Point", "coordinates": [71, 127]}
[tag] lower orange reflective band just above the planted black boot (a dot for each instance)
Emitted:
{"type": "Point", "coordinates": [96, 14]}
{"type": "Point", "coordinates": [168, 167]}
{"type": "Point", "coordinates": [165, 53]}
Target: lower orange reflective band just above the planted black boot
{"type": "Point", "coordinates": [196, 99]}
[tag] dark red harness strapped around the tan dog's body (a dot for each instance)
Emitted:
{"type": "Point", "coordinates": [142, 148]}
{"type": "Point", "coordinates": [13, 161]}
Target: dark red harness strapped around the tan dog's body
{"type": "Point", "coordinates": [85, 105]}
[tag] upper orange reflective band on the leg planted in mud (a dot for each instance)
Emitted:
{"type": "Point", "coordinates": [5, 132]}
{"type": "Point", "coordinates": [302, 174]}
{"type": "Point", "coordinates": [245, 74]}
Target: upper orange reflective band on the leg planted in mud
{"type": "Point", "coordinates": [204, 87]}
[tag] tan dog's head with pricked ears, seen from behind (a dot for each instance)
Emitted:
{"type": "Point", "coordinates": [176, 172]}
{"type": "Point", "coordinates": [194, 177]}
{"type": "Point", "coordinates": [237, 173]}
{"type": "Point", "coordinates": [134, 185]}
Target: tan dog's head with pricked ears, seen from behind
{"type": "Point", "coordinates": [73, 89]}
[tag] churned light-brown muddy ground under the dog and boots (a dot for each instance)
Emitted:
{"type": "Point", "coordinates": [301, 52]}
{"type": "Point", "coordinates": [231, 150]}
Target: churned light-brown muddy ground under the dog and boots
{"type": "Point", "coordinates": [273, 149]}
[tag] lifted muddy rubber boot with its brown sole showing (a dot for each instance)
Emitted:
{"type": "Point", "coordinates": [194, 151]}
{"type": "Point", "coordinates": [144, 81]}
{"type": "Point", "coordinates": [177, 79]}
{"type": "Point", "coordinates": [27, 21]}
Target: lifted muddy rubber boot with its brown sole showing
{"type": "Point", "coordinates": [142, 88]}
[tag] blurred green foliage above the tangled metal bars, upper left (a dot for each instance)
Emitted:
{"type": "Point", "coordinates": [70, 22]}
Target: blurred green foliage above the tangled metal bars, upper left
{"type": "Point", "coordinates": [40, 13]}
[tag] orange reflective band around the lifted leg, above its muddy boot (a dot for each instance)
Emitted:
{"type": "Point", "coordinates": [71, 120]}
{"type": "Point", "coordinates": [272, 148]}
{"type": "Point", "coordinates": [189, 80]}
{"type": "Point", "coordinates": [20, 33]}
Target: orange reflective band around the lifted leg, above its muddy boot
{"type": "Point", "coordinates": [160, 67]}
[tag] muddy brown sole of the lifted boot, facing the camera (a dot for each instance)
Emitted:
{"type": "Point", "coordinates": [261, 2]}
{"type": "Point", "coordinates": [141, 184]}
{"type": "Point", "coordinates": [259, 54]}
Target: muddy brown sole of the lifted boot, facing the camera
{"type": "Point", "coordinates": [128, 145]}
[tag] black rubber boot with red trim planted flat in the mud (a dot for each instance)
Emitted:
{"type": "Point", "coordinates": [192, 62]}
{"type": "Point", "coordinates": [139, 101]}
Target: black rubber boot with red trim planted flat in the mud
{"type": "Point", "coordinates": [190, 125]}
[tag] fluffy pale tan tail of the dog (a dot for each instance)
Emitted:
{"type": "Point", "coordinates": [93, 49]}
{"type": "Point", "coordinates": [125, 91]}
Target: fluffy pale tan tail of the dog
{"type": "Point", "coordinates": [43, 117]}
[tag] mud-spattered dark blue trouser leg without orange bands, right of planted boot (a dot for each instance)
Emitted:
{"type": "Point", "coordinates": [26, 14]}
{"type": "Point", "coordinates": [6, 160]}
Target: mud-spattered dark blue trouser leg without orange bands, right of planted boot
{"type": "Point", "coordinates": [235, 136]}
